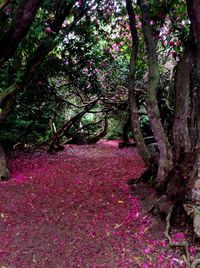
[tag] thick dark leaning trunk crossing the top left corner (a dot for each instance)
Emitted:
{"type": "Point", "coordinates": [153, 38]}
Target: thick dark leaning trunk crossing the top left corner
{"type": "Point", "coordinates": [21, 23]}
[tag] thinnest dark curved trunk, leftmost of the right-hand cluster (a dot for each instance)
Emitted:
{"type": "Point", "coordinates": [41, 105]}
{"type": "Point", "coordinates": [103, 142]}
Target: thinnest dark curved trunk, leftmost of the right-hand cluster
{"type": "Point", "coordinates": [144, 152]}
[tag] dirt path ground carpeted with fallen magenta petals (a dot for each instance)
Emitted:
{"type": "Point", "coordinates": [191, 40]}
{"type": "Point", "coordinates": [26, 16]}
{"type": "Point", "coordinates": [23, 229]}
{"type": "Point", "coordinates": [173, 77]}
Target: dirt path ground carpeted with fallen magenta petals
{"type": "Point", "coordinates": [74, 209]}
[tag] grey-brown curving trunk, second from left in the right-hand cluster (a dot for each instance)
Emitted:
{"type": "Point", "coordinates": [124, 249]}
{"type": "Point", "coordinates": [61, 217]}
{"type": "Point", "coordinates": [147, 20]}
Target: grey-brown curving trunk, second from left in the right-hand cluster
{"type": "Point", "coordinates": [165, 152]}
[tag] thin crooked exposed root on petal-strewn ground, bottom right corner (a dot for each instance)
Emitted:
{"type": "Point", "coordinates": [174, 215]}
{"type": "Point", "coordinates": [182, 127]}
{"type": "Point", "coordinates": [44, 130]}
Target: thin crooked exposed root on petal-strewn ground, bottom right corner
{"type": "Point", "coordinates": [187, 258]}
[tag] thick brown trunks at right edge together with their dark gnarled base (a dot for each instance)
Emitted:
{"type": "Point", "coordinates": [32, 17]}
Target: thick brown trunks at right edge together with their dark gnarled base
{"type": "Point", "coordinates": [184, 179]}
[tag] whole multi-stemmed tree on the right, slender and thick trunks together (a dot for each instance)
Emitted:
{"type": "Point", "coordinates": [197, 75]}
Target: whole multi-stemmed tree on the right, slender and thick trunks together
{"type": "Point", "coordinates": [176, 167]}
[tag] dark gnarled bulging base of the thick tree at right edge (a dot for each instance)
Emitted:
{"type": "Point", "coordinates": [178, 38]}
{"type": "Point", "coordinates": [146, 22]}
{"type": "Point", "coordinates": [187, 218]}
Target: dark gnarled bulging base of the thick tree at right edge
{"type": "Point", "coordinates": [184, 186]}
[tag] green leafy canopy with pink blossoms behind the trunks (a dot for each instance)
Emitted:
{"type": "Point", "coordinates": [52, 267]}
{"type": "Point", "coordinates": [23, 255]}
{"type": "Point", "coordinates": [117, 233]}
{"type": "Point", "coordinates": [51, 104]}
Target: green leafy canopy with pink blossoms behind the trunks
{"type": "Point", "coordinates": [92, 61]}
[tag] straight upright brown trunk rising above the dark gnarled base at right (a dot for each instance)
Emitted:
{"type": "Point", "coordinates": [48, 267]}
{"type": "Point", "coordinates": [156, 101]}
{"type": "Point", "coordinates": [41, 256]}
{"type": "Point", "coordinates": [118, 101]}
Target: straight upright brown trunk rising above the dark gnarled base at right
{"type": "Point", "coordinates": [181, 135]}
